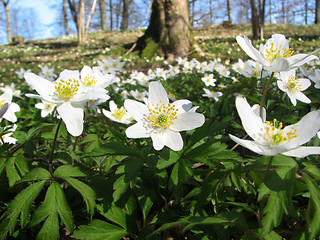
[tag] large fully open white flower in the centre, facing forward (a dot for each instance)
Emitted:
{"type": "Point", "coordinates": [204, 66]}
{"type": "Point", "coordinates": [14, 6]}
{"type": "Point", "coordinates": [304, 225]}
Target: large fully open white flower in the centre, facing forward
{"type": "Point", "coordinates": [161, 120]}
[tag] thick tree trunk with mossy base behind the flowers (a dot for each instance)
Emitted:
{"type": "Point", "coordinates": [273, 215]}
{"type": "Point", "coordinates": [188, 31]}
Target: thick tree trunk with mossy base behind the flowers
{"type": "Point", "coordinates": [169, 31]}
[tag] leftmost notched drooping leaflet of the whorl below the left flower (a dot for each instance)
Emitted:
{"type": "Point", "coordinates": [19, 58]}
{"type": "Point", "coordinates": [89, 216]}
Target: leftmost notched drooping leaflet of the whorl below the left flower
{"type": "Point", "coordinates": [21, 206]}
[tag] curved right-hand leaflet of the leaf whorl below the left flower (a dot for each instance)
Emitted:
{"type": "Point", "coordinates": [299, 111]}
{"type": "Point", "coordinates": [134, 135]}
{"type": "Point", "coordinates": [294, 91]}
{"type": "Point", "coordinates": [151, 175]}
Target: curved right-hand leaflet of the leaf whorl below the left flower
{"type": "Point", "coordinates": [87, 193]}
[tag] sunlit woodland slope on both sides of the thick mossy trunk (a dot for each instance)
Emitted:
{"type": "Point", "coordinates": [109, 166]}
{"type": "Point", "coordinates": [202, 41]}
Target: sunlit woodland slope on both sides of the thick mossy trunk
{"type": "Point", "coordinates": [64, 53]}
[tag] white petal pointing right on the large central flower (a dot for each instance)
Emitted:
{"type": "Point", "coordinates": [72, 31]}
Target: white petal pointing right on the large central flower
{"type": "Point", "coordinates": [187, 121]}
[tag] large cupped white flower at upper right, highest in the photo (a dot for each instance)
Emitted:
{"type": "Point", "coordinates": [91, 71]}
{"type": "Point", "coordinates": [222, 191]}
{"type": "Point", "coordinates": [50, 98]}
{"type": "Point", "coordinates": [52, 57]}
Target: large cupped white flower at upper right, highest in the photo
{"type": "Point", "coordinates": [275, 55]}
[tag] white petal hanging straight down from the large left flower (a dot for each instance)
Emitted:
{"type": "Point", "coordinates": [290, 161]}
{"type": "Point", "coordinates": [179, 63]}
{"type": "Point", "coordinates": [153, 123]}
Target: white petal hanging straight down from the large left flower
{"type": "Point", "coordinates": [72, 117]}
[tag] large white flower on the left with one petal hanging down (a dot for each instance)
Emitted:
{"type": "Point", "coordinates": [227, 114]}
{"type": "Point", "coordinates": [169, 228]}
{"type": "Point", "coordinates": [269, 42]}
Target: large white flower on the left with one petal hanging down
{"type": "Point", "coordinates": [69, 95]}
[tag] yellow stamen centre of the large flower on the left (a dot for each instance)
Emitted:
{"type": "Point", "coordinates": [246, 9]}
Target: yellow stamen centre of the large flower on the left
{"type": "Point", "coordinates": [65, 89]}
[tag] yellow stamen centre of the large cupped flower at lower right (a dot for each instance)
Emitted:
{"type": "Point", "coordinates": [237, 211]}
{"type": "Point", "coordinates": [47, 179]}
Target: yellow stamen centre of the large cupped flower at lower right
{"type": "Point", "coordinates": [275, 135]}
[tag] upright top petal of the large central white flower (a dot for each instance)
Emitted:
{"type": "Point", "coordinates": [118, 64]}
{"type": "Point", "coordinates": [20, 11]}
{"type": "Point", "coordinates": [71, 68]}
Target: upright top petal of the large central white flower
{"type": "Point", "coordinates": [157, 93]}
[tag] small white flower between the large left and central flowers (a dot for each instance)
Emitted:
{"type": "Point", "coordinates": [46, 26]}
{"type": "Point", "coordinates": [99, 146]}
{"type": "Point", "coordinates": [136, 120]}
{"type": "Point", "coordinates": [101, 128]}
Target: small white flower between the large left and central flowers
{"type": "Point", "coordinates": [117, 114]}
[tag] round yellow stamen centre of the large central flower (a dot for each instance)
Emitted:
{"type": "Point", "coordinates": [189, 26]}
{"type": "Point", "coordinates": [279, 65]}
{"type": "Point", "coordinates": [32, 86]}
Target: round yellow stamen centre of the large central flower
{"type": "Point", "coordinates": [162, 116]}
